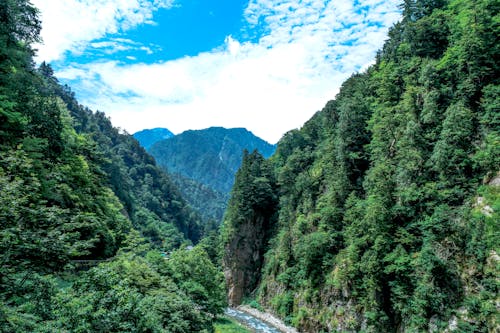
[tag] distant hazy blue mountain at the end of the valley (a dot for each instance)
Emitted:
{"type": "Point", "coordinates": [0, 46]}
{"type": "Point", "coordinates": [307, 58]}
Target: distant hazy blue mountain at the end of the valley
{"type": "Point", "coordinates": [203, 164]}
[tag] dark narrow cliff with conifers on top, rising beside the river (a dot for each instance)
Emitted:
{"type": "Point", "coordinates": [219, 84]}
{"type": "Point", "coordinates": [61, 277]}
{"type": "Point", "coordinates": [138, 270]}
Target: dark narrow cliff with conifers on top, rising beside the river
{"type": "Point", "coordinates": [248, 226]}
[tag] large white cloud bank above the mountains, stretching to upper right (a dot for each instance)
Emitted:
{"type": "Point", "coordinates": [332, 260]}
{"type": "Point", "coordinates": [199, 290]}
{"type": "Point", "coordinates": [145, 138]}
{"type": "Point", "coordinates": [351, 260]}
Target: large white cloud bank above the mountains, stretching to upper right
{"type": "Point", "coordinates": [271, 86]}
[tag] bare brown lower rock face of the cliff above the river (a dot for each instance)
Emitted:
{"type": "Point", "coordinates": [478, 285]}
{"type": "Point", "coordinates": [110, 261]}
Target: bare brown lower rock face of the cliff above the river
{"type": "Point", "coordinates": [244, 258]}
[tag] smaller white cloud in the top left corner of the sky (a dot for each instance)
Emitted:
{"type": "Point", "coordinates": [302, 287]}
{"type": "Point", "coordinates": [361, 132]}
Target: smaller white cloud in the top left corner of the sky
{"type": "Point", "coordinates": [70, 25]}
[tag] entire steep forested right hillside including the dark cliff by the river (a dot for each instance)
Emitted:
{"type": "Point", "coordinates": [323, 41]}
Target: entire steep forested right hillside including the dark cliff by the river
{"type": "Point", "coordinates": [386, 217]}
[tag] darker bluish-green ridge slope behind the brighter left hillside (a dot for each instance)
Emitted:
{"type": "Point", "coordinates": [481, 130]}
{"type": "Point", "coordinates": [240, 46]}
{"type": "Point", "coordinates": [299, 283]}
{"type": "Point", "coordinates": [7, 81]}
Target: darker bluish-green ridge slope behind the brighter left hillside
{"type": "Point", "coordinates": [151, 201]}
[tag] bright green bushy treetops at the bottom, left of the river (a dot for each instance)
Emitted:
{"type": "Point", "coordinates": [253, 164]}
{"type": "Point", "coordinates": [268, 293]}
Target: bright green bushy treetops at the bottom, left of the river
{"type": "Point", "coordinates": [135, 293]}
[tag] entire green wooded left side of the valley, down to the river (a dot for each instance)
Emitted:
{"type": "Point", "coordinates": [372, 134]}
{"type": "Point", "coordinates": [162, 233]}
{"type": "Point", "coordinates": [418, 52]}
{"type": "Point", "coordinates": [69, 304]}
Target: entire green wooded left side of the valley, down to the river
{"type": "Point", "coordinates": [72, 187]}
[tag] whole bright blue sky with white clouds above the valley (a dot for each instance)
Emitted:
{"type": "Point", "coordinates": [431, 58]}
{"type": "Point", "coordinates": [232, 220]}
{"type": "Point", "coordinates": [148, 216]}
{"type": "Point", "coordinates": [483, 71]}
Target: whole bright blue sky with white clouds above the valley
{"type": "Point", "coordinates": [266, 65]}
